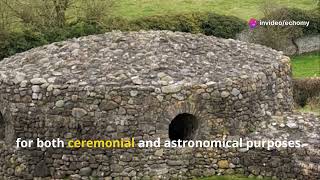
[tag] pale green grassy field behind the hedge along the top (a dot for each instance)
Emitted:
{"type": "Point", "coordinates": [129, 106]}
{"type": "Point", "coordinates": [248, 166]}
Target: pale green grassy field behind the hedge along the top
{"type": "Point", "coordinates": [241, 8]}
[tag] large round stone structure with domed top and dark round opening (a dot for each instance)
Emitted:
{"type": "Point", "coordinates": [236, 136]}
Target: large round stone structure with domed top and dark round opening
{"type": "Point", "coordinates": [136, 84]}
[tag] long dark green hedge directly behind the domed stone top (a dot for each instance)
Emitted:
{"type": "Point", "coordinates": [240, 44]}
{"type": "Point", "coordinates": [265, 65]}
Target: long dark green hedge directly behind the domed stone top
{"type": "Point", "coordinates": [207, 23]}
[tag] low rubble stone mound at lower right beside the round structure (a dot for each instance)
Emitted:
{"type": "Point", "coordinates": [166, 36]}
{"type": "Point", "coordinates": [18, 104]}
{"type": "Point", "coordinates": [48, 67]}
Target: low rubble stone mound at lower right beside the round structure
{"type": "Point", "coordinates": [286, 163]}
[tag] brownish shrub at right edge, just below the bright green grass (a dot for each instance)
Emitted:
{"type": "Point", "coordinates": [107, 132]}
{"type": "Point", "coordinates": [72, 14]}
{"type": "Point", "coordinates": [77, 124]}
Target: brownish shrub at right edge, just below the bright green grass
{"type": "Point", "coordinates": [305, 90]}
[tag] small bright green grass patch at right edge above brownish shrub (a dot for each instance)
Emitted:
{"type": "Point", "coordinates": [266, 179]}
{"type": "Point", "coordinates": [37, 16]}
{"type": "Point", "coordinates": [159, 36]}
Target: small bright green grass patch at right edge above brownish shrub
{"type": "Point", "coordinates": [306, 65]}
